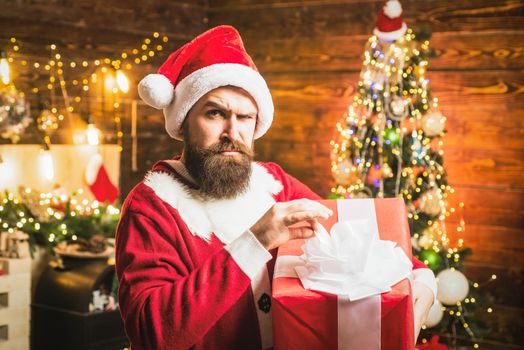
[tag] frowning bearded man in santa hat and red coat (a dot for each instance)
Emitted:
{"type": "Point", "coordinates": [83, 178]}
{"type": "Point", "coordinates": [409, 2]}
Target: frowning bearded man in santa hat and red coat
{"type": "Point", "coordinates": [197, 240]}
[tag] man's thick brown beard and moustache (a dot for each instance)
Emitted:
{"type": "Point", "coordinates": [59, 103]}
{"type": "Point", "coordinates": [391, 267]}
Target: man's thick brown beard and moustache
{"type": "Point", "coordinates": [219, 176]}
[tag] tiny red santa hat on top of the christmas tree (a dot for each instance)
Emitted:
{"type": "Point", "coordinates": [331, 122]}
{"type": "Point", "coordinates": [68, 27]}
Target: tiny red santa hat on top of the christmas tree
{"type": "Point", "coordinates": [389, 23]}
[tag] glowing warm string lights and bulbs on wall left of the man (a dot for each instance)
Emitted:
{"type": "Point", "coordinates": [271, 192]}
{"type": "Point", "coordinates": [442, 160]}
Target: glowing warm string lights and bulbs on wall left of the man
{"type": "Point", "coordinates": [73, 89]}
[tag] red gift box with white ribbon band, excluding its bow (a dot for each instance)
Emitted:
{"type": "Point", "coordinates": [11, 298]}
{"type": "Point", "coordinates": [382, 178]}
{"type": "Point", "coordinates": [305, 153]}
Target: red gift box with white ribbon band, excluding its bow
{"type": "Point", "coordinates": [307, 319]}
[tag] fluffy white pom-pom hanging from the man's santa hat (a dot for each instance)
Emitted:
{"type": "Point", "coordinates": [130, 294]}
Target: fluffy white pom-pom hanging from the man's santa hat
{"type": "Point", "coordinates": [156, 90]}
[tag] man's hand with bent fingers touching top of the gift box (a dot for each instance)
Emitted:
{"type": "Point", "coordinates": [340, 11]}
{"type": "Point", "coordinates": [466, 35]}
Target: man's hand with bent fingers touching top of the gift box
{"type": "Point", "coordinates": [272, 230]}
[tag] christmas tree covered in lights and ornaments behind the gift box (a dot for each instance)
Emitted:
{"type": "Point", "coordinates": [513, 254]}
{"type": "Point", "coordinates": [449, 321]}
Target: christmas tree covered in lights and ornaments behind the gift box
{"type": "Point", "coordinates": [389, 145]}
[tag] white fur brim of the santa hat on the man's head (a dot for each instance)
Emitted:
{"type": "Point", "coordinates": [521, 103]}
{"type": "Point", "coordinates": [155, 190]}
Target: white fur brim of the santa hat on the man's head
{"type": "Point", "coordinates": [201, 81]}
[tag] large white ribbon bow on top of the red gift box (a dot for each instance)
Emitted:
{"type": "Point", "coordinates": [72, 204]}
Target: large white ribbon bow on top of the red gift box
{"type": "Point", "coordinates": [351, 261]}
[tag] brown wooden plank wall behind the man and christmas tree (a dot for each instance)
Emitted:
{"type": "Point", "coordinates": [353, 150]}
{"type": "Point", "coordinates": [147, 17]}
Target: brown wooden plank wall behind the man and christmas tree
{"type": "Point", "coordinates": [310, 51]}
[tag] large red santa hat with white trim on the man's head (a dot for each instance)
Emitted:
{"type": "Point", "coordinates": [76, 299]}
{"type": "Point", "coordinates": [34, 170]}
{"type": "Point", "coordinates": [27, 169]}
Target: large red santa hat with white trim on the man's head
{"type": "Point", "coordinates": [213, 59]}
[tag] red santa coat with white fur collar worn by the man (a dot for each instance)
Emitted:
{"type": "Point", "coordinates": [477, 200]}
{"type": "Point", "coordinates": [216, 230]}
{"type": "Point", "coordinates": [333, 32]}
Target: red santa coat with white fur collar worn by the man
{"type": "Point", "coordinates": [191, 274]}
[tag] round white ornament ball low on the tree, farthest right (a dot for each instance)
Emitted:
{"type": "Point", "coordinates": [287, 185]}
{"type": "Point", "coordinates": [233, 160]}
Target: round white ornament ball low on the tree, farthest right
{"type": "Point", "coordinates": [453, 287]}
